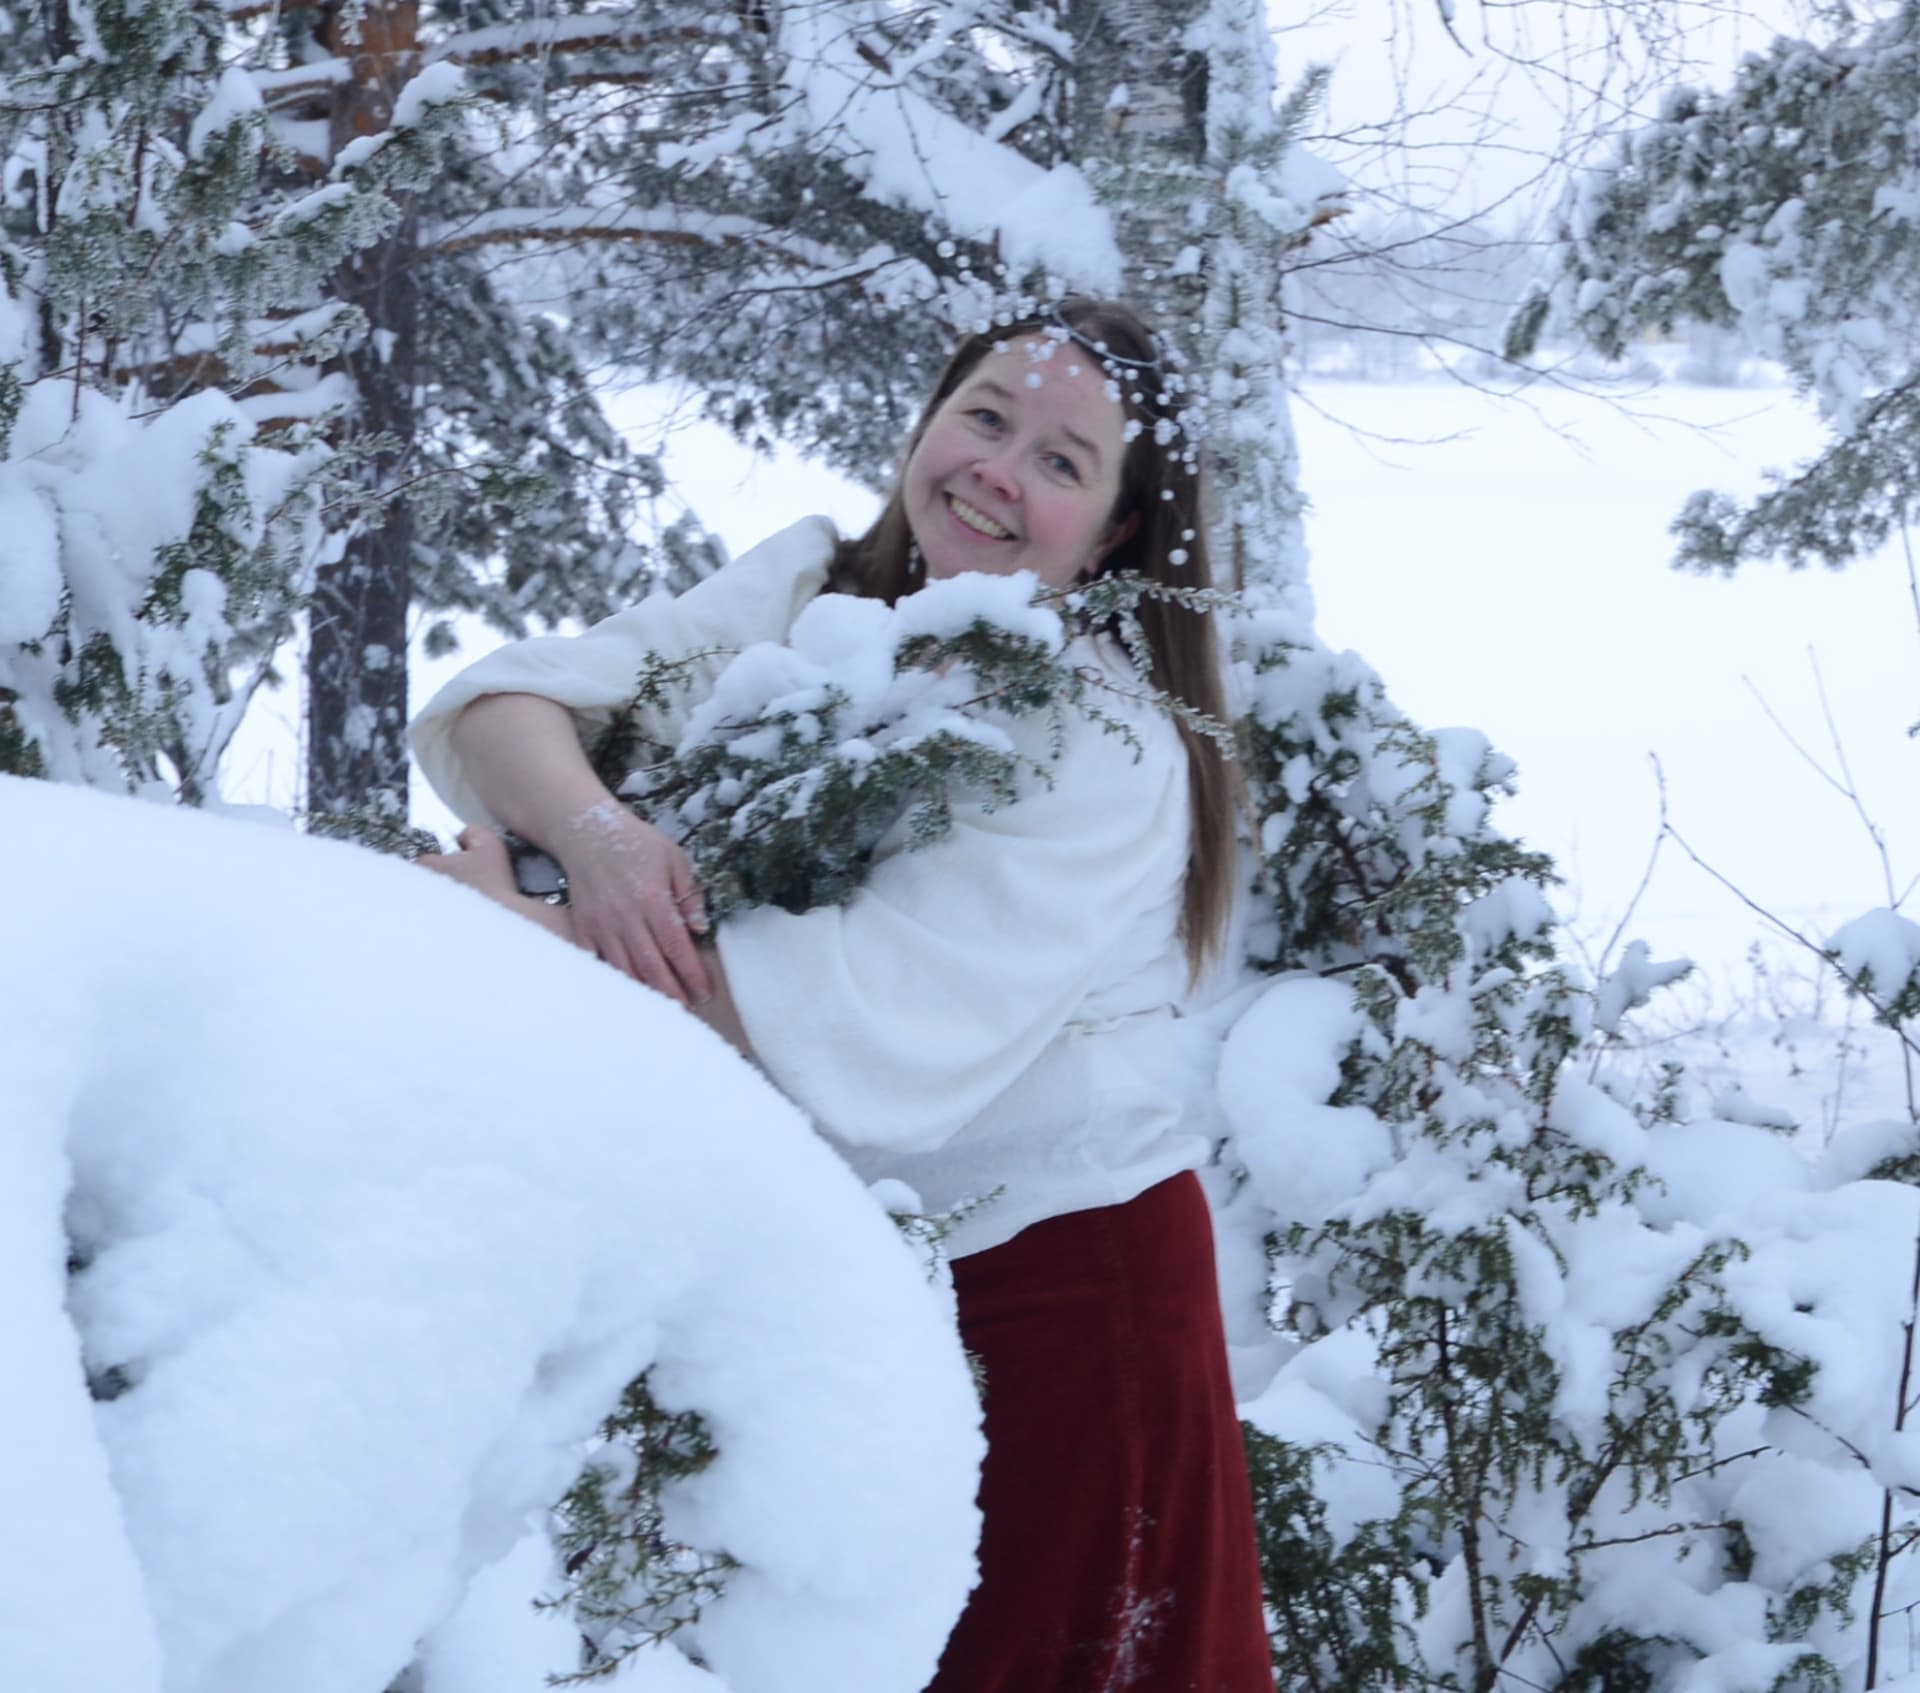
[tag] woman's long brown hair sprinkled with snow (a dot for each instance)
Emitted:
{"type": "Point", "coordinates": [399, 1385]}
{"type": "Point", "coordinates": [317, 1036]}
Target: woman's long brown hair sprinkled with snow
{"type": "Point", "coordinates": [1161, 489]}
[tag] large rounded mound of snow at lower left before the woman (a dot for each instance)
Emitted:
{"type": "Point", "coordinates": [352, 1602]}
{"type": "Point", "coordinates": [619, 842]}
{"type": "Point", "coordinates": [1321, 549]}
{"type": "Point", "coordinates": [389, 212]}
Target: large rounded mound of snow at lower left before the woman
{"type": "Point", "coordinates": [372, 1251]}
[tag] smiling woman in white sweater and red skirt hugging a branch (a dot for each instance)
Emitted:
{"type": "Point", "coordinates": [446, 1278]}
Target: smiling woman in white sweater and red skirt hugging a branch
{"type": "Point", "coordinates": [990, 1016]}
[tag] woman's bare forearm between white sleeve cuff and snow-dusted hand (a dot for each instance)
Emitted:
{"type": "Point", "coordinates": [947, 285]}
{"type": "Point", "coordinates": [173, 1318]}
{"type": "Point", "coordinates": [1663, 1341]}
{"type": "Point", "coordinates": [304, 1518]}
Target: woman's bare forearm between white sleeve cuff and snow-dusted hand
{"type": "Point", "coordinates": [527, 767]}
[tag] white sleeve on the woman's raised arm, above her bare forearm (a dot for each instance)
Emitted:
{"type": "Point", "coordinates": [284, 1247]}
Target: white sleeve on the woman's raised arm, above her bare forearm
{"type": "Point", "coordinates": [756, 598]}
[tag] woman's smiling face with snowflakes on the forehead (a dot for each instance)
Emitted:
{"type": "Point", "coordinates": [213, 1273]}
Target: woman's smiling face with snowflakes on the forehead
{"type": "Point", "coordinates": [1020, 467]}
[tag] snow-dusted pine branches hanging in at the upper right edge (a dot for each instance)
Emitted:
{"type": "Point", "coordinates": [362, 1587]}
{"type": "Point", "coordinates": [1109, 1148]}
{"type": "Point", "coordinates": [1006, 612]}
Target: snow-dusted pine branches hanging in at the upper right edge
{"type": "Point", "coordinates": [1785, 208]}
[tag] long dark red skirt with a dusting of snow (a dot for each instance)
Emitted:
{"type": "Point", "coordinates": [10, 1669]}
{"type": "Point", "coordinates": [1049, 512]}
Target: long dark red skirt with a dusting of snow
{"type": "Point", "coordinates": [1118, 1542]}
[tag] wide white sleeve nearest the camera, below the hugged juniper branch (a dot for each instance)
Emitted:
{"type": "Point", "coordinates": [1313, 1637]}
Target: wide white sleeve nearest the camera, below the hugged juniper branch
{"type": "Point", "coordinates": [900, 1016]}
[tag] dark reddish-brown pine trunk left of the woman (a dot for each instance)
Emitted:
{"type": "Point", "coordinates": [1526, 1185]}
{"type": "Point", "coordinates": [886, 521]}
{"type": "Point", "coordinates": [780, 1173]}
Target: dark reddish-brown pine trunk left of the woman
{"type": "Point", "coordinates": [358, 640]}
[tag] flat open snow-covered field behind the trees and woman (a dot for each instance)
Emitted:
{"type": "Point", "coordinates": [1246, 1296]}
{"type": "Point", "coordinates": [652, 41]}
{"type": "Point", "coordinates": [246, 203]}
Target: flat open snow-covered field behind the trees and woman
{"type": "Point", "coordinates": [1451, 523]}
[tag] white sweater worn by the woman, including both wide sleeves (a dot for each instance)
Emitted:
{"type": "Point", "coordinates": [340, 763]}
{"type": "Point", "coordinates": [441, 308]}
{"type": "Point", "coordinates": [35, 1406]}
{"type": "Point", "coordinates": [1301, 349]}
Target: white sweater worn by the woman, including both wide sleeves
{"type": "Point", "coordinates": [990, 1014]}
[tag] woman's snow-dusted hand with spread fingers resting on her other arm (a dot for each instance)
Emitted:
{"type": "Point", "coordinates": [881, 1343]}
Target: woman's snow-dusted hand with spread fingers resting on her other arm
{"type": "Point", "coordinates": [635, 901]}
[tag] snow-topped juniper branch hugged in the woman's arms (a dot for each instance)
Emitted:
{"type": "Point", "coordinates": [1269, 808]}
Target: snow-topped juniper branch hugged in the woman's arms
{"type": "Point", "coordinates": [867, 721]}
